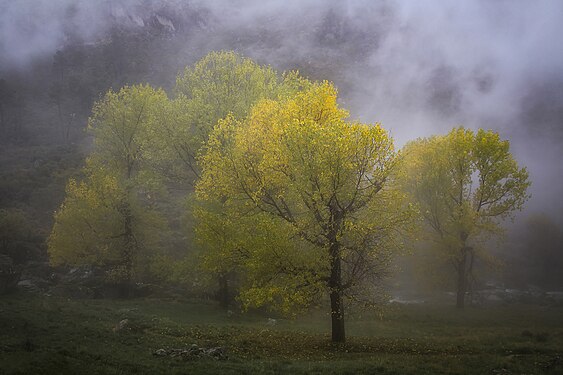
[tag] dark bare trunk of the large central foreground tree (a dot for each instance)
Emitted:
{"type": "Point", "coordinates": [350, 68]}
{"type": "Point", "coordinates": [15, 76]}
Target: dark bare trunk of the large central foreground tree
{"type": "Point", "coordinates": [336, 303]}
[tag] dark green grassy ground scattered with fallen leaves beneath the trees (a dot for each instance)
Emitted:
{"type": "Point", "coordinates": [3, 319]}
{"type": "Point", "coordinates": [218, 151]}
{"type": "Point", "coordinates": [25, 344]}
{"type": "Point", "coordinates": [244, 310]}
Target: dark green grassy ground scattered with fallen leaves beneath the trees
{"type": "Point", "coordinates": [47, 335]}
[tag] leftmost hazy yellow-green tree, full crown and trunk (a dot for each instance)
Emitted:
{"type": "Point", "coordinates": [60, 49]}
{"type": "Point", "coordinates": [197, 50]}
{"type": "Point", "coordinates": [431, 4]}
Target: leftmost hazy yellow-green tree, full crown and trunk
{"type": "Point", "coordinates": [110, 218]}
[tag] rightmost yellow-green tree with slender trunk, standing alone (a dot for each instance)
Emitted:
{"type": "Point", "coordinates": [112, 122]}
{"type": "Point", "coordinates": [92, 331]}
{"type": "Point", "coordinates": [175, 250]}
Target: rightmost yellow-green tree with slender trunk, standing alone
{"type": "Point", "coordinates": [465, 183]}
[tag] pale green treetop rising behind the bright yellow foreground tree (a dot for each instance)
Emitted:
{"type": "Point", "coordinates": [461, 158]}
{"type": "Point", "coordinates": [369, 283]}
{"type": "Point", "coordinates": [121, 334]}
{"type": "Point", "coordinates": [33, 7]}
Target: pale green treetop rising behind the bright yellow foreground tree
{"type": "Point", "coordinates": [219, 84]}
